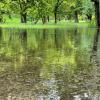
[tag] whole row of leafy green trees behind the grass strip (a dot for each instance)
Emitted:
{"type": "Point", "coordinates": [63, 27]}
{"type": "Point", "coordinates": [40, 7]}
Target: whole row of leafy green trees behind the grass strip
{"type": "Point", "coordinates": [50, 9]}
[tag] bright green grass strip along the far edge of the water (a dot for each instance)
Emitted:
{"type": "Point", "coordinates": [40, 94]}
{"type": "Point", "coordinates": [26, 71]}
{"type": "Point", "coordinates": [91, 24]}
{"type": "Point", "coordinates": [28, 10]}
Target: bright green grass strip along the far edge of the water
{"type": "Point", "coordinates": [15, 23]}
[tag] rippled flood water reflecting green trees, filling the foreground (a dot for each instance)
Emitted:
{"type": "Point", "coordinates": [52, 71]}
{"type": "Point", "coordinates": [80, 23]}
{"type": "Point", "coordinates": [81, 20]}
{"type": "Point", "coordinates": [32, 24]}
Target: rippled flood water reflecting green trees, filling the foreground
{"type": "Point", "coordinates": [50, 64]}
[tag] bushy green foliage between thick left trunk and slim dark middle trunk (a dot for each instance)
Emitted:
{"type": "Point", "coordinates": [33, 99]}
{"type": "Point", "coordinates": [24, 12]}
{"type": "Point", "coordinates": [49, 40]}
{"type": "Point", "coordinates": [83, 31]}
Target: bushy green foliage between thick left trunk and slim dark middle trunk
{"type": "Point", "coordinates": [41, 9]}
